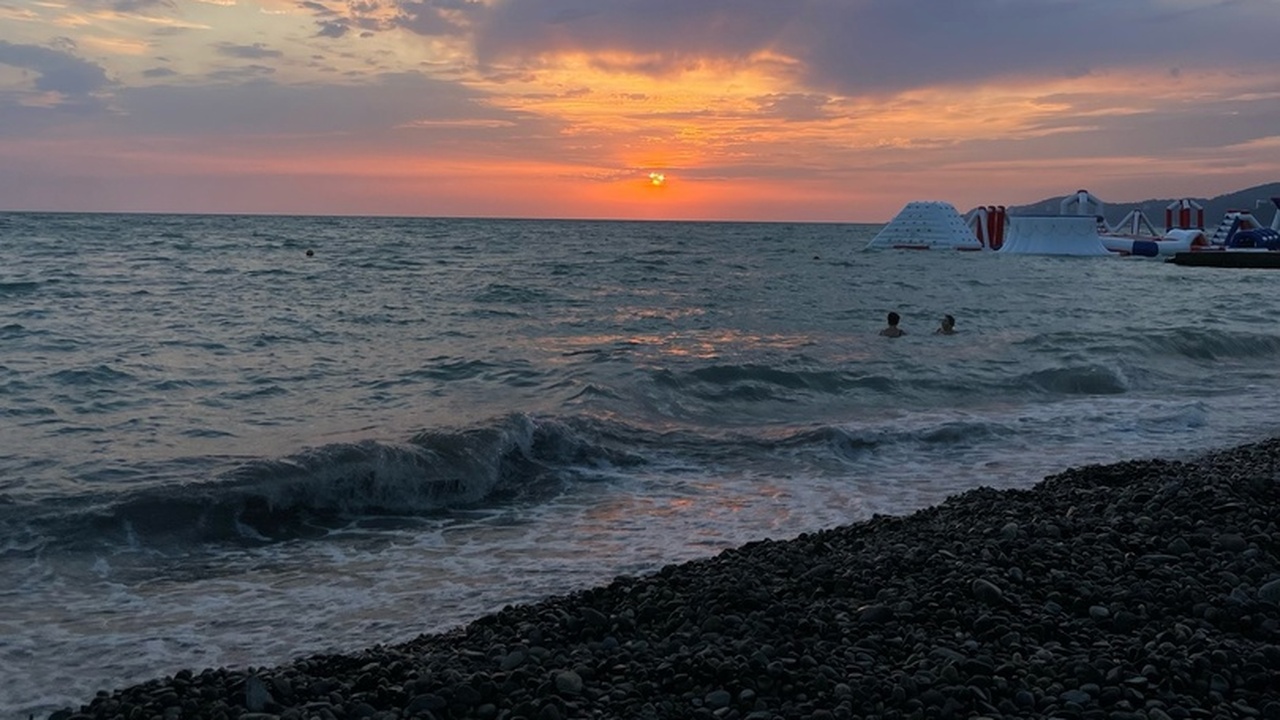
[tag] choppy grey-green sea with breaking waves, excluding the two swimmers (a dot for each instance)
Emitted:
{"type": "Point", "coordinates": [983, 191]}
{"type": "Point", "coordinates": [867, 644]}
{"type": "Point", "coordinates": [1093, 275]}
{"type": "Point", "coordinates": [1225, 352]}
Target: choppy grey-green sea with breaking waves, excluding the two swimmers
{"type": "Point", "coordinates": [235, 441]}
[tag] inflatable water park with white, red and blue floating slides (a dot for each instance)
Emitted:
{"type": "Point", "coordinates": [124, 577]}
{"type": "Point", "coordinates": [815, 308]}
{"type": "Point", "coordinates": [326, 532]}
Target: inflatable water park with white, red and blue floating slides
{"type": "Point", "coordinates": [1081, 229]}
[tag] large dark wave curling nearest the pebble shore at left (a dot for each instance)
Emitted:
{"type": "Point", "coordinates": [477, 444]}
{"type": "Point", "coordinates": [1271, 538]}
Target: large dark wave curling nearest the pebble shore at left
{"type": "Point", "coordinates": [313, 493]}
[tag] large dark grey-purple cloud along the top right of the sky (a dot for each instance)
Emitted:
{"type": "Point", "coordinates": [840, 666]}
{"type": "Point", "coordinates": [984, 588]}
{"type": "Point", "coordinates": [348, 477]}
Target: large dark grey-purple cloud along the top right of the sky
{"type": "Point", "coordinates": [889, 45]}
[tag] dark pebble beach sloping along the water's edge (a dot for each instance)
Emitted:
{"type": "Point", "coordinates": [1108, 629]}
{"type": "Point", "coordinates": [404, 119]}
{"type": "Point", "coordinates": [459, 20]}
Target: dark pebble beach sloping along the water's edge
{"type": "Point", "coordinates": [1144, 590]}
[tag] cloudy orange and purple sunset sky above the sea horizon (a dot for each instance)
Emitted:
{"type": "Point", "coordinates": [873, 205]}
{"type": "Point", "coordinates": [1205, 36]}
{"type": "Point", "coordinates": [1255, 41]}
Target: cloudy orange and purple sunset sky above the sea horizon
{"type": "Point", "coordinates": [660, 110]}
